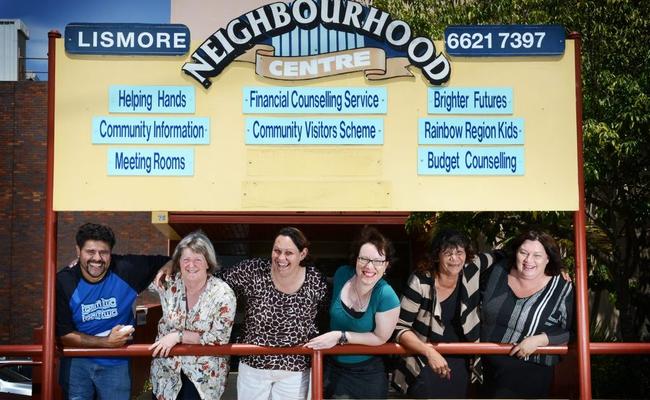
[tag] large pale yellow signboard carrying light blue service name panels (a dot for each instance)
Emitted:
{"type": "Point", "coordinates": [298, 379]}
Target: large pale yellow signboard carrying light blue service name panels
{"type": "Point", "coordinates": [136, 134]}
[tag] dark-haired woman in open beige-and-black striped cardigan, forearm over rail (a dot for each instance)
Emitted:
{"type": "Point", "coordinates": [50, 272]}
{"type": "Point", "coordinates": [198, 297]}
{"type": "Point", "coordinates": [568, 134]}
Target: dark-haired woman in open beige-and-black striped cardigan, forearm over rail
{"type": "Point", "coordinates": [440, 304]}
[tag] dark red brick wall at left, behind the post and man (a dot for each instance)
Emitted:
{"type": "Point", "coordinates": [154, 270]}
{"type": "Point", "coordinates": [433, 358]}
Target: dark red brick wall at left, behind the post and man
{"type": "Point", "coordinates": [23, 163]}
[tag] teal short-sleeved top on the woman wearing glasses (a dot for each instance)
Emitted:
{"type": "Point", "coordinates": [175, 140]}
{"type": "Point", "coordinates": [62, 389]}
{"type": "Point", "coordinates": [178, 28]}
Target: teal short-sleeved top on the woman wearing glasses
{"type": "Point", "coordinates": [383, 298]}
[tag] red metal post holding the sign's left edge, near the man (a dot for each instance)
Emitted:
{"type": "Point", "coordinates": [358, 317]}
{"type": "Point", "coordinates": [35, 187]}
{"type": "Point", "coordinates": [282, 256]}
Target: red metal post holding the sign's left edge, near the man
{"type": "Point", "coordinates": [49, 267]}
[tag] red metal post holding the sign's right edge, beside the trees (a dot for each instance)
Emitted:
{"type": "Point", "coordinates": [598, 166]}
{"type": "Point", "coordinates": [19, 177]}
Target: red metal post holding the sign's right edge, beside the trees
{"type": "Point", "coordinates": [580, 233]}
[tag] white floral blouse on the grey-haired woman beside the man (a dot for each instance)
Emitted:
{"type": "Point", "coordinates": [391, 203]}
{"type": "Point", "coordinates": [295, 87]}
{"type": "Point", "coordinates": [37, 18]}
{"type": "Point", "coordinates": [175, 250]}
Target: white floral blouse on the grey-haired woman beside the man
{"type": "Point", "coordinates": [212, 316]}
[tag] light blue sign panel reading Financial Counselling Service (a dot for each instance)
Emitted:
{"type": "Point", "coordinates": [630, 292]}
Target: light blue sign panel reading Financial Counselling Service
{"type": "Point", "coordinates": [314, 100]}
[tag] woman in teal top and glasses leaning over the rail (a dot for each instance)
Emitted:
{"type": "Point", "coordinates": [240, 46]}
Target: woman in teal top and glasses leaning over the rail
{"type": "Point", "coordinates": [364, 310]}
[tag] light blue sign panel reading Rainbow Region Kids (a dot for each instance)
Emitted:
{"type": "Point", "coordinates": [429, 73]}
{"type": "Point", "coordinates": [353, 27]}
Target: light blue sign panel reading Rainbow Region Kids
{"type": "Point", "coordinates": [471, 131]}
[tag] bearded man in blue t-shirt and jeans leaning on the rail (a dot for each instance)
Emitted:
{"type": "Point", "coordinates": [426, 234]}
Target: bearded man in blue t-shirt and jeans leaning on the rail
{"type": "Point", "coordinates": [95, 299]}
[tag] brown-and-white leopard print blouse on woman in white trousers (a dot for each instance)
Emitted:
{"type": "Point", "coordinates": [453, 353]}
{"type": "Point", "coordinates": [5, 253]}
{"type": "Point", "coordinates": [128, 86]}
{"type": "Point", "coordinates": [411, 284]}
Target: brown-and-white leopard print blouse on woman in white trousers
{"type": "Point", "coordinates": [273, 318]}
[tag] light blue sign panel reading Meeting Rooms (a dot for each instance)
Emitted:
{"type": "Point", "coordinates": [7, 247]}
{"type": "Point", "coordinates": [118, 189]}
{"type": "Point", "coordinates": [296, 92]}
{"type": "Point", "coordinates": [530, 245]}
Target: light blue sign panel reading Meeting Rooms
{"type": "Point", "coordinates": [150, 162]}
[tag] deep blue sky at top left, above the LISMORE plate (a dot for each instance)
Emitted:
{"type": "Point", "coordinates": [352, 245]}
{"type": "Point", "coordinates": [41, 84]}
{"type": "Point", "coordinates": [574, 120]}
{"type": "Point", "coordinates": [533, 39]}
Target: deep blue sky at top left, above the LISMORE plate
{"type": "Point", "coordinates": [42, 16]}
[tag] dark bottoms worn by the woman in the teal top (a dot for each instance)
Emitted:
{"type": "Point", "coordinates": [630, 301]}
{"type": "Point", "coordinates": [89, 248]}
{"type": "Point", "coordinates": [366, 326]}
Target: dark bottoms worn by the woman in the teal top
{"type": "Point", "coordinates": [364, 380]}
